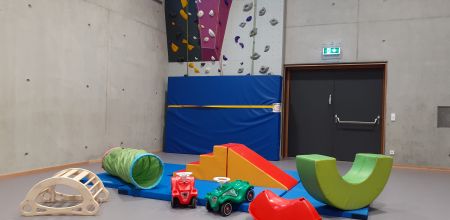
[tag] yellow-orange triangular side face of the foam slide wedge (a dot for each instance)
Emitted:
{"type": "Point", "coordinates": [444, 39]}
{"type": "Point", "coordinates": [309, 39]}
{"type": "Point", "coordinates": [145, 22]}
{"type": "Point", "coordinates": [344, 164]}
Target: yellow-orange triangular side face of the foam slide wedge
{"type": "Point", "coordinates": [241, 168]}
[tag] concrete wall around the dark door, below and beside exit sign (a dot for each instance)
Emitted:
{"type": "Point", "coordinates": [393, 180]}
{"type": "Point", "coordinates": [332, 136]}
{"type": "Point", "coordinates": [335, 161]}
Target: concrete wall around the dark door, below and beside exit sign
{"type": "Point", "coordinates": [413, 36]}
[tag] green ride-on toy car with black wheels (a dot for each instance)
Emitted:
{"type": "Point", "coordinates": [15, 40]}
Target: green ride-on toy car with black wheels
{"type": "Point", "coordinates": [228, 193]}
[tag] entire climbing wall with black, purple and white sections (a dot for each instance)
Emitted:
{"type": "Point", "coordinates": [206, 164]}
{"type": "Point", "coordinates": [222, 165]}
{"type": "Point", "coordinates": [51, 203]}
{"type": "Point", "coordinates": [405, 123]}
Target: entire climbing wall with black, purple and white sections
{"type": "Point", "coordinates": [224, 37]}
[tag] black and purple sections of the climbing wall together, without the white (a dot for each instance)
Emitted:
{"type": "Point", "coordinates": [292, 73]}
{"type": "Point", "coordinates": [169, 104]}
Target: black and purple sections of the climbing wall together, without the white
{"type": "Point", "coordinates": [195, 29]}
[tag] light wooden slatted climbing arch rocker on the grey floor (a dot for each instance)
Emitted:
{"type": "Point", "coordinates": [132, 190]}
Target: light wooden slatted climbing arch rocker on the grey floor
{"type": "Point", "coordinates": [43, 199]}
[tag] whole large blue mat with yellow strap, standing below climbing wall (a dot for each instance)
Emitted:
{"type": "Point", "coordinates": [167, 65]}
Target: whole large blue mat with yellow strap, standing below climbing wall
{"type": "Point", "coordinates": [197, 130]}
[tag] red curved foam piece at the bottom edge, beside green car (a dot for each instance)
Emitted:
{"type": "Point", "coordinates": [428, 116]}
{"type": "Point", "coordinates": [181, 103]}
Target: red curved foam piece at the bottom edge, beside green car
{"type": "Point", "coordinates": [268, 205]}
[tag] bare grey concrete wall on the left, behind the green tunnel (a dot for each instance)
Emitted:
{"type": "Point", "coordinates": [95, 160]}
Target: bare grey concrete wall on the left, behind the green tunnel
{"type": "Point", "coordinates": [78, 76]}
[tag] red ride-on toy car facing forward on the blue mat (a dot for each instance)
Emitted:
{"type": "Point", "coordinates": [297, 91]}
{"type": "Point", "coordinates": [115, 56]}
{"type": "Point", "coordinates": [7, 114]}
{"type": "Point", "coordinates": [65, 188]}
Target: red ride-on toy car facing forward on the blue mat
{"type": "Point", "coordinates": [183, 191]}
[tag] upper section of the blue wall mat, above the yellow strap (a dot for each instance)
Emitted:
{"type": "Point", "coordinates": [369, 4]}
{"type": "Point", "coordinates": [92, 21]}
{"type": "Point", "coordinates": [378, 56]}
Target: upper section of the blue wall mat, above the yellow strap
{"type": "Point", "coordinates": [224, 90]}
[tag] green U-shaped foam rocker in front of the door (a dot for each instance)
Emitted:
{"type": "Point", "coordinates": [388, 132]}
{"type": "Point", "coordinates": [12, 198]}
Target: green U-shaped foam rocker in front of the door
{"type": "Point", "coordinates": [356, 189]}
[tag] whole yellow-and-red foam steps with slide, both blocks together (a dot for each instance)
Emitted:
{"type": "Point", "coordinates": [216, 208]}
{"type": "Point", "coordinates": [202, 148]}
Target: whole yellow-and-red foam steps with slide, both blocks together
{"type": "Point", "coordinates": [237, 161]}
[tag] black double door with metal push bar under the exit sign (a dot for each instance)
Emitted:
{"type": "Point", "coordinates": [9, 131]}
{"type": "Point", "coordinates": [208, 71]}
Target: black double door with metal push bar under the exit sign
{"type": "Point", "coordinates": [335, 112]}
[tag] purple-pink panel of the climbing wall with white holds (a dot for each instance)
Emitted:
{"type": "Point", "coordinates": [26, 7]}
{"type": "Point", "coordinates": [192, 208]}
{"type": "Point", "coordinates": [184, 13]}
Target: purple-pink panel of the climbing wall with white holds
{"type": "Point", "coordinates": [213, 16]}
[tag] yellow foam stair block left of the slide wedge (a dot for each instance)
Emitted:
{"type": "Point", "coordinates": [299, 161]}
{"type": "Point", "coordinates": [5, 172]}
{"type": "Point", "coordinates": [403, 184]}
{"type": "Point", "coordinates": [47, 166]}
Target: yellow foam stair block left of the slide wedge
{"type": "Point", "coordinates": [210, 165]}
